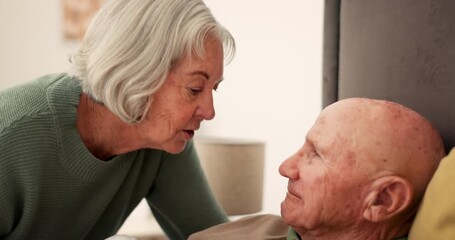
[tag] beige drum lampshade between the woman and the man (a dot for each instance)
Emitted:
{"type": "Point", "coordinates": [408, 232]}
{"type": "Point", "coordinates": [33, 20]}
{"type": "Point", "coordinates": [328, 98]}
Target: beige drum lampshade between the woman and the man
{"type": "Point", "coordinates": [235, 171]}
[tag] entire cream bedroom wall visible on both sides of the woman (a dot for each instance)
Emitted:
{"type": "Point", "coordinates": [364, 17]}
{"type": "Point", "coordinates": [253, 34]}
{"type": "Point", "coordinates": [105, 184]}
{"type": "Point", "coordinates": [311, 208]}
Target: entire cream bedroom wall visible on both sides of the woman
{"type": "Point", "coordinates": [272, 89]}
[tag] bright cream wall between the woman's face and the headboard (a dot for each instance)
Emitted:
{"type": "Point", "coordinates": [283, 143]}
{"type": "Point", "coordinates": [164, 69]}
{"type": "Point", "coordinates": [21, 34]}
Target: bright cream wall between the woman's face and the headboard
{"type": "Point", "coordinates": [272, 89]}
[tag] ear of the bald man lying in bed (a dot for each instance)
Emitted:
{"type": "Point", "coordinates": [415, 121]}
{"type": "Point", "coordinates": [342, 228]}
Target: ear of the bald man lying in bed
{"type": "Point", "coordinates": [388, 197]}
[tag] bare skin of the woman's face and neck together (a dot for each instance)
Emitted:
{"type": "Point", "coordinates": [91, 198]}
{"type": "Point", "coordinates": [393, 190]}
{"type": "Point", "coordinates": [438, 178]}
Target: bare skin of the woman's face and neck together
{"type": "Point", "coordinates": [176, 112]}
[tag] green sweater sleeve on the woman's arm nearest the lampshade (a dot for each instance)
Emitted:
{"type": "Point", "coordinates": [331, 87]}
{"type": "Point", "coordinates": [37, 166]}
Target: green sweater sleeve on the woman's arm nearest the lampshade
{"type": "Point", "coordinates": [181, 199]}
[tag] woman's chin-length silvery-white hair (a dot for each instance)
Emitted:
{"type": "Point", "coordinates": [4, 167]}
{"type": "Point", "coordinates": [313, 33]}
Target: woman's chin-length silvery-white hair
{"type": "Point", "coordinates": [131, 45]}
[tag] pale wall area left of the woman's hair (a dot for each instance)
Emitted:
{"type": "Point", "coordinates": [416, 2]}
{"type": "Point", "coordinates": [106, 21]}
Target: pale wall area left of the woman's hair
{"type": "Point", "coordinates": [31, 40]}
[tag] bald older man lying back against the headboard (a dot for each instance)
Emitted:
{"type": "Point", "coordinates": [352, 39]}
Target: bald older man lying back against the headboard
{"type": "Point", "coordinates": [361, 174]}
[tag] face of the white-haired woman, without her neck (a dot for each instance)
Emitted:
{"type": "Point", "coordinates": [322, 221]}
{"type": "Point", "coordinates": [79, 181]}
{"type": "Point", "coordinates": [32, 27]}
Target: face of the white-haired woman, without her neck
{"type": "Point", "coordinates": [184, 101]}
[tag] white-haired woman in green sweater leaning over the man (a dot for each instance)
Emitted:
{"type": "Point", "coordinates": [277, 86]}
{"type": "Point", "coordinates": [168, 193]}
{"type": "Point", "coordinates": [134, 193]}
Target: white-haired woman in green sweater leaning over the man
{"type": "Point", "coordinates": [79, 151]}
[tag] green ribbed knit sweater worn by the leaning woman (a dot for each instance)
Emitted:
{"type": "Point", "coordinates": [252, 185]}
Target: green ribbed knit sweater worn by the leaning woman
{"type": "Point", "coordinates": [51, 187]}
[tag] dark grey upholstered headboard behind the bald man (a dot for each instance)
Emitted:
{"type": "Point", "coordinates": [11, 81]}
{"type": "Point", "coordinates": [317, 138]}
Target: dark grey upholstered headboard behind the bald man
{"type": "Point", "coordinates": [397, 50]}
